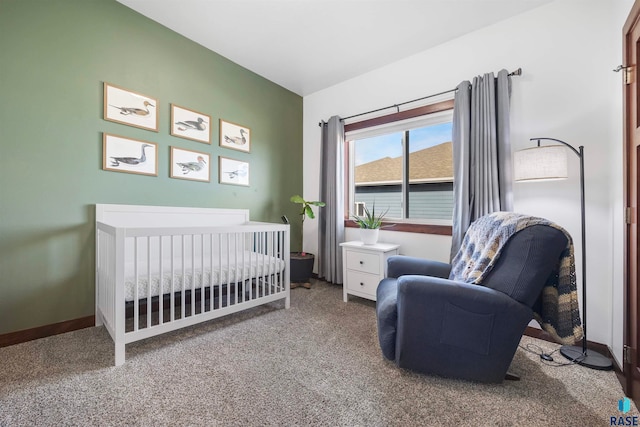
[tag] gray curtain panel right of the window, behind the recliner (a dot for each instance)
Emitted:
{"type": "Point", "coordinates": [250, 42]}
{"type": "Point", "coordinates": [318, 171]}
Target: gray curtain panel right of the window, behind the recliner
{"type": "Point", "coordinates": [481, 151]}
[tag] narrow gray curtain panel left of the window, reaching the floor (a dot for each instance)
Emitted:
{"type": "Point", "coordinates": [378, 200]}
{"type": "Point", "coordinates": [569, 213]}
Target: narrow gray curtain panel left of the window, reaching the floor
{"type": "Point", "coordinates": [331, 217]}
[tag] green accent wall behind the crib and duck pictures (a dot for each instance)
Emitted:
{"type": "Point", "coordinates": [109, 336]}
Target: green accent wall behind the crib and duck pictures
{"type": "Point", "coordinates": [54, 57]}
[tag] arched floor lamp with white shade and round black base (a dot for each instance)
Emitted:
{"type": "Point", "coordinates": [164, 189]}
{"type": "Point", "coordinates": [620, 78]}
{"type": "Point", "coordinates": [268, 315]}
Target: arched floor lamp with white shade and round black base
{"type": "Point", "coordinates": [546, 163]}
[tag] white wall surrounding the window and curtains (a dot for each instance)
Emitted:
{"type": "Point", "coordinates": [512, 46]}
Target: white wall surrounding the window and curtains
{"type": "Point", "coordinates": [567, 50]}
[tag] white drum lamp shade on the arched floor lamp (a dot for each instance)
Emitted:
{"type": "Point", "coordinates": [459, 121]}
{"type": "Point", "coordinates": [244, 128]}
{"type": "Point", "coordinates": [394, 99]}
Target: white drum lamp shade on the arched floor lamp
{"type": "Point", "coordinates": [540, 163]}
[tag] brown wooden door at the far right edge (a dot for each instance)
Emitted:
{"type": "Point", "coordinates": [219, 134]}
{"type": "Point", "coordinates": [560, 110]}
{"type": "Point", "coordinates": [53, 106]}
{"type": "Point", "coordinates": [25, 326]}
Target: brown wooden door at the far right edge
{"type": "Point", "coordinates": [631, 46]}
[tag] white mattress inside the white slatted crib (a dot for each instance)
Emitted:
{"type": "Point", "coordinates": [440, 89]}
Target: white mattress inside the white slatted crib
{"type": "Point", "coordinates": [249, 265]}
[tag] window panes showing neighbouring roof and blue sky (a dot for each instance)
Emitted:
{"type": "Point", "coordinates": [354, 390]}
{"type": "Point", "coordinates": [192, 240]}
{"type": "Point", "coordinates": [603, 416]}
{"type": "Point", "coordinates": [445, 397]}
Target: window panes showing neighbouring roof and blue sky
{"type": "Point", "coordinates": [405, 167]}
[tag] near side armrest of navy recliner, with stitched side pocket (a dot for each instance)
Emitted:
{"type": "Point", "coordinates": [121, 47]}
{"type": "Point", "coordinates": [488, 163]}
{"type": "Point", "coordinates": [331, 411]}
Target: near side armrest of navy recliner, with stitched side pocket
{"type": "Point", "coordinates": [457, 329]}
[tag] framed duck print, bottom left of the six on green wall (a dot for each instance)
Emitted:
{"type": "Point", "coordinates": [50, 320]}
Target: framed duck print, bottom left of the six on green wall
{"type": "Point", "coordinates": [123, 154]}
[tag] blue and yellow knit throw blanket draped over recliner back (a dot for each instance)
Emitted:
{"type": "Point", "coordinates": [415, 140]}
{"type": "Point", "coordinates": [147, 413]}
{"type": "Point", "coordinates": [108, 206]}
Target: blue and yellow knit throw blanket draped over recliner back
{"type": "Point", "coordinates": [558, 313]}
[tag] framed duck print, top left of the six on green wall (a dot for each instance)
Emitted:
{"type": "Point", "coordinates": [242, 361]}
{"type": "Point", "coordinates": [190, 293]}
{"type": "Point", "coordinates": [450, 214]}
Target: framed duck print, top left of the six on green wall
{"type": "Point", "coordinates": [130, 108]}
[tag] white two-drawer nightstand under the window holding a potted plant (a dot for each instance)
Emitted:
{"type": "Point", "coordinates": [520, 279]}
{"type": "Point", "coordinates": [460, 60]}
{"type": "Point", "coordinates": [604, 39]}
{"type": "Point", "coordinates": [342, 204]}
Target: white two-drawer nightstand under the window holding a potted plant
{"type": "Point", "coordinates": [364, 266]}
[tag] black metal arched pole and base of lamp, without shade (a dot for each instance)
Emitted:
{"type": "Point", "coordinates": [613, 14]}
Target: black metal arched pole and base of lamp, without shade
{"type": "Point", "coordinates": [582, 355]}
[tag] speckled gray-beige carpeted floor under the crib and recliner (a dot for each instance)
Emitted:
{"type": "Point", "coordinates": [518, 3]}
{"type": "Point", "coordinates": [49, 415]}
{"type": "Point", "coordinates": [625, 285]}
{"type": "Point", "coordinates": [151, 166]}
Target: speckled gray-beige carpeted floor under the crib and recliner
{"type": "Point", "coordinates": [317, 363]}
